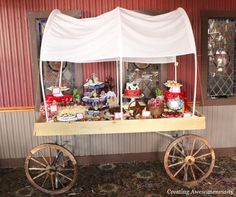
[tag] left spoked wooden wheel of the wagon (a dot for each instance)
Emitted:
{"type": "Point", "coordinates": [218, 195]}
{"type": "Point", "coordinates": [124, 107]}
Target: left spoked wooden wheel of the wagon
{"type": "Point", "coordinates": [51, 168]}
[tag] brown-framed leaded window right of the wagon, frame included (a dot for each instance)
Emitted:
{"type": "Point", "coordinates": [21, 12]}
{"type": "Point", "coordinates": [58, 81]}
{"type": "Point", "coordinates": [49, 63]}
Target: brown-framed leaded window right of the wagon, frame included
{"type": "Point", "coordinates": [218, 58]}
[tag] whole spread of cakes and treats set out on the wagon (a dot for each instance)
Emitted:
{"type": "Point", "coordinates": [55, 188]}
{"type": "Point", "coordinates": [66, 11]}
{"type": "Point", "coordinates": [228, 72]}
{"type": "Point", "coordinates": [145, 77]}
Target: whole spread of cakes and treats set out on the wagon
{"type": "Point", "coordinates": [99, 105]}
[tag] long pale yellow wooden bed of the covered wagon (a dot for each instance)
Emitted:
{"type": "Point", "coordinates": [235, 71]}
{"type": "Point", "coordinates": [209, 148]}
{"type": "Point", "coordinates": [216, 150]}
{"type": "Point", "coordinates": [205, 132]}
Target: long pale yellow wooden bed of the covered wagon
{"type": "Point", "coordinates": [119, 126]}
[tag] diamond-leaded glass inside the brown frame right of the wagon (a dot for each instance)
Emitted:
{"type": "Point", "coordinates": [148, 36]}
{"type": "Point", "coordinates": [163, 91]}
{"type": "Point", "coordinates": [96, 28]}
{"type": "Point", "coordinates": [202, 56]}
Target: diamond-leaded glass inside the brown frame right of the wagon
{"type": "Point", "coordinates": [221, 57]}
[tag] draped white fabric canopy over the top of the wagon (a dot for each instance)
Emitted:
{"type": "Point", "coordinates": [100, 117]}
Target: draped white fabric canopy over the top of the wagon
{"type": "Point", "coordinates": [118, 34]}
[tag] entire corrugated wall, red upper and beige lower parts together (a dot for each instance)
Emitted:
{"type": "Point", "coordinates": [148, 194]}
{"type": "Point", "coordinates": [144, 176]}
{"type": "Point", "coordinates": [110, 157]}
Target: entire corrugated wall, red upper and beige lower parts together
{"type": "Point", "coordinates": [16, 81]}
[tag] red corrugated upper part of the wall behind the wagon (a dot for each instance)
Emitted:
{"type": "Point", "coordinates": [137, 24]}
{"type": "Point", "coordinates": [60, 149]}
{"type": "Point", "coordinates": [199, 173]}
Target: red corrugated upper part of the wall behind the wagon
{"type": "Point", "coordinates": [16, 82]}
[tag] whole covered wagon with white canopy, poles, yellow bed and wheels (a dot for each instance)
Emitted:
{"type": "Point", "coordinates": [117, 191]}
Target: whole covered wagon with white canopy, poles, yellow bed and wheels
{"type": "Point", "coordinates": [188, 159]}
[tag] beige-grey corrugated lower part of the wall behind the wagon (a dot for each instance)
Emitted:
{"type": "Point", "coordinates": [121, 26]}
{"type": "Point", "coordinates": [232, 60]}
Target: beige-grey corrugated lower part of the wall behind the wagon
{"type": "Point", "coordinates": [16, 137]}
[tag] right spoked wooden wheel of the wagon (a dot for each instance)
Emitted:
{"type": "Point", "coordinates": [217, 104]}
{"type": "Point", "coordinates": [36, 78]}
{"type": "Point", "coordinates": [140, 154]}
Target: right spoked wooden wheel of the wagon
{"type": "Point", "coordinates": [189, 159]}
